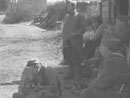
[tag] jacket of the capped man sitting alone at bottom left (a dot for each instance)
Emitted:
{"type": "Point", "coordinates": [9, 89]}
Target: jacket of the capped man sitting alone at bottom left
{"type": "Point", "coordinates": [46, 77]}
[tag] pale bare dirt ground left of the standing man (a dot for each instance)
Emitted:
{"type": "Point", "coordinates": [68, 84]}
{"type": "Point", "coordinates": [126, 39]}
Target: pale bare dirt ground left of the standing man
{"type": "Point", "coordinates": [21, 42]}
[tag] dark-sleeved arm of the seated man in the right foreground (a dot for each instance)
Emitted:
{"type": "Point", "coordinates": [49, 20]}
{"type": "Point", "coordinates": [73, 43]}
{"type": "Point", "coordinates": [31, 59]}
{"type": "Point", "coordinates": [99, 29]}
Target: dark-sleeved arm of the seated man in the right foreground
{"type": "Point", "coordinates": [108, 75]}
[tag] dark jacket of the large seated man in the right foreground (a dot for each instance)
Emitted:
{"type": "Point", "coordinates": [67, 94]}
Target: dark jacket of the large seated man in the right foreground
{"type": "Point", "coordinates": [112, 75]}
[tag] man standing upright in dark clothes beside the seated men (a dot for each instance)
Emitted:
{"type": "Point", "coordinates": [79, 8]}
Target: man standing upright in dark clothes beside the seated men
{"type": "Point", "coordinates": [73, 30]}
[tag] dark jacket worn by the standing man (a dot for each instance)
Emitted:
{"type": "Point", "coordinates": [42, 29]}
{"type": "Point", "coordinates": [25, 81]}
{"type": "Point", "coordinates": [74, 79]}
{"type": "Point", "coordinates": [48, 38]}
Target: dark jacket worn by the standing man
{"type": "Point", "coordinates": [73, 30]}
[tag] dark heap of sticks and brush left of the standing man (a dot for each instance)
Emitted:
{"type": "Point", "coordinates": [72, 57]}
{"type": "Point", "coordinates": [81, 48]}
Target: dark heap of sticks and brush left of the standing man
{"type": "Point", "coordinates": [49, 19]}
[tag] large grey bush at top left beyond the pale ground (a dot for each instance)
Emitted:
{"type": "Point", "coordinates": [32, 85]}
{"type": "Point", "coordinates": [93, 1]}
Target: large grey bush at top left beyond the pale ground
{"type": "Point", "coordinates": [23, 10]}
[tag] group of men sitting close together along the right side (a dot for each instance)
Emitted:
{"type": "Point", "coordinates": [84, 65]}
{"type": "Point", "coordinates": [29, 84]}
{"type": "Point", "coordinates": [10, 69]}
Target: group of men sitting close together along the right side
{"type": "Point", "coordinates": [112, 79]}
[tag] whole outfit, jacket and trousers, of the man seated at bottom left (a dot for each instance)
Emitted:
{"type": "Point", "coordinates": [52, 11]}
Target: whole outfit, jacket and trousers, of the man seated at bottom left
{"type": "Point", "coordinates": [46, 77]}
